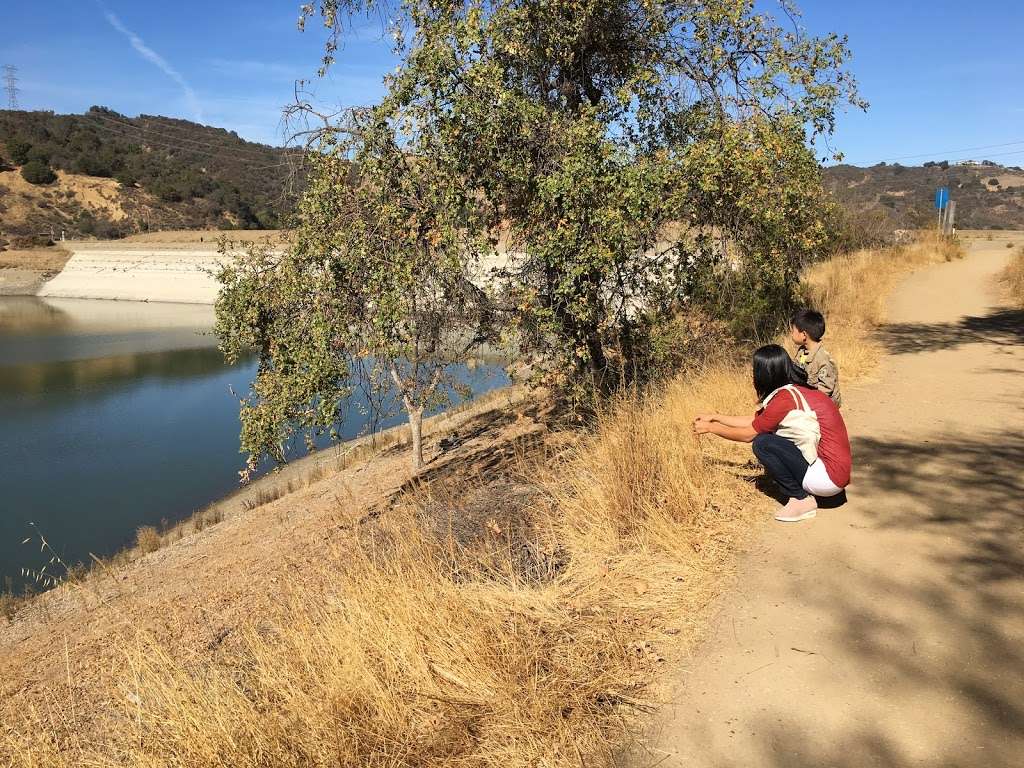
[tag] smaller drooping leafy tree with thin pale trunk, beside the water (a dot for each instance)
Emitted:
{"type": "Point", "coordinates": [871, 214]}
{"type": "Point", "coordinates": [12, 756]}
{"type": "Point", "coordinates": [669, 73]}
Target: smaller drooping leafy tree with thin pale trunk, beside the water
{"type": "Point", "coordinates": [376, 292]}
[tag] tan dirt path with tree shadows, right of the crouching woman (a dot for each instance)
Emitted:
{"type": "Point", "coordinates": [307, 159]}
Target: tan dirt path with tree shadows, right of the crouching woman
{"type": "Point", "coordinates": [889, 632]}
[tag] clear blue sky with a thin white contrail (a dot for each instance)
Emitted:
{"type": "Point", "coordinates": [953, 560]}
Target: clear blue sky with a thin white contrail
{"type": "Point", "coordinates": [942, 76]}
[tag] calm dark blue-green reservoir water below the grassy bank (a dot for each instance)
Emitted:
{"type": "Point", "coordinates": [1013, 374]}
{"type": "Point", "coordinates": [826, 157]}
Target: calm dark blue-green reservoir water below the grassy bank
{"type": "Point", "coordinates": [117, 415]}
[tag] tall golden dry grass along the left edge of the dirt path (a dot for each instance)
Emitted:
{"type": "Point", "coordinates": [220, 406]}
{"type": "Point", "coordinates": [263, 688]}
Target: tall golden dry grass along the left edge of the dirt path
{"type": "Point", "coordinates": [409, 650]}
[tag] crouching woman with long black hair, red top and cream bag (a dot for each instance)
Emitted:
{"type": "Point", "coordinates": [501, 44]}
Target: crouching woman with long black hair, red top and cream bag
{"type": "Point", "coordinates": [798, 435]}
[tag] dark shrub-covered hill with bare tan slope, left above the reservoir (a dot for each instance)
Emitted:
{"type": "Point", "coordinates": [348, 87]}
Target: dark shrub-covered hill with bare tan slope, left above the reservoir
{"type": "Point", "coordinates": [109, 176]}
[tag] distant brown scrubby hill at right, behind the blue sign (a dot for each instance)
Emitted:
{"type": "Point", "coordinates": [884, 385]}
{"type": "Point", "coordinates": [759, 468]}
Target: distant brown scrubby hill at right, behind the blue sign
{"type": "Point", "coordinates": [989, 196]}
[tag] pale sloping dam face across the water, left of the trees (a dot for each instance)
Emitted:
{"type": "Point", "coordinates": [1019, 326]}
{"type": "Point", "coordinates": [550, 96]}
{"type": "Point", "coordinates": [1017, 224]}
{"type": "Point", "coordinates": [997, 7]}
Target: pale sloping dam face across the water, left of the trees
{"type": "Point", "coordinates": [139, 273]}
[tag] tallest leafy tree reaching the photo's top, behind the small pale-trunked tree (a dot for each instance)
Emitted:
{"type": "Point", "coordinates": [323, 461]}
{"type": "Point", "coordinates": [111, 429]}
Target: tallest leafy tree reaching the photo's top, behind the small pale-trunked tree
{"type": "Point", "coordinates": [580, 122]}
